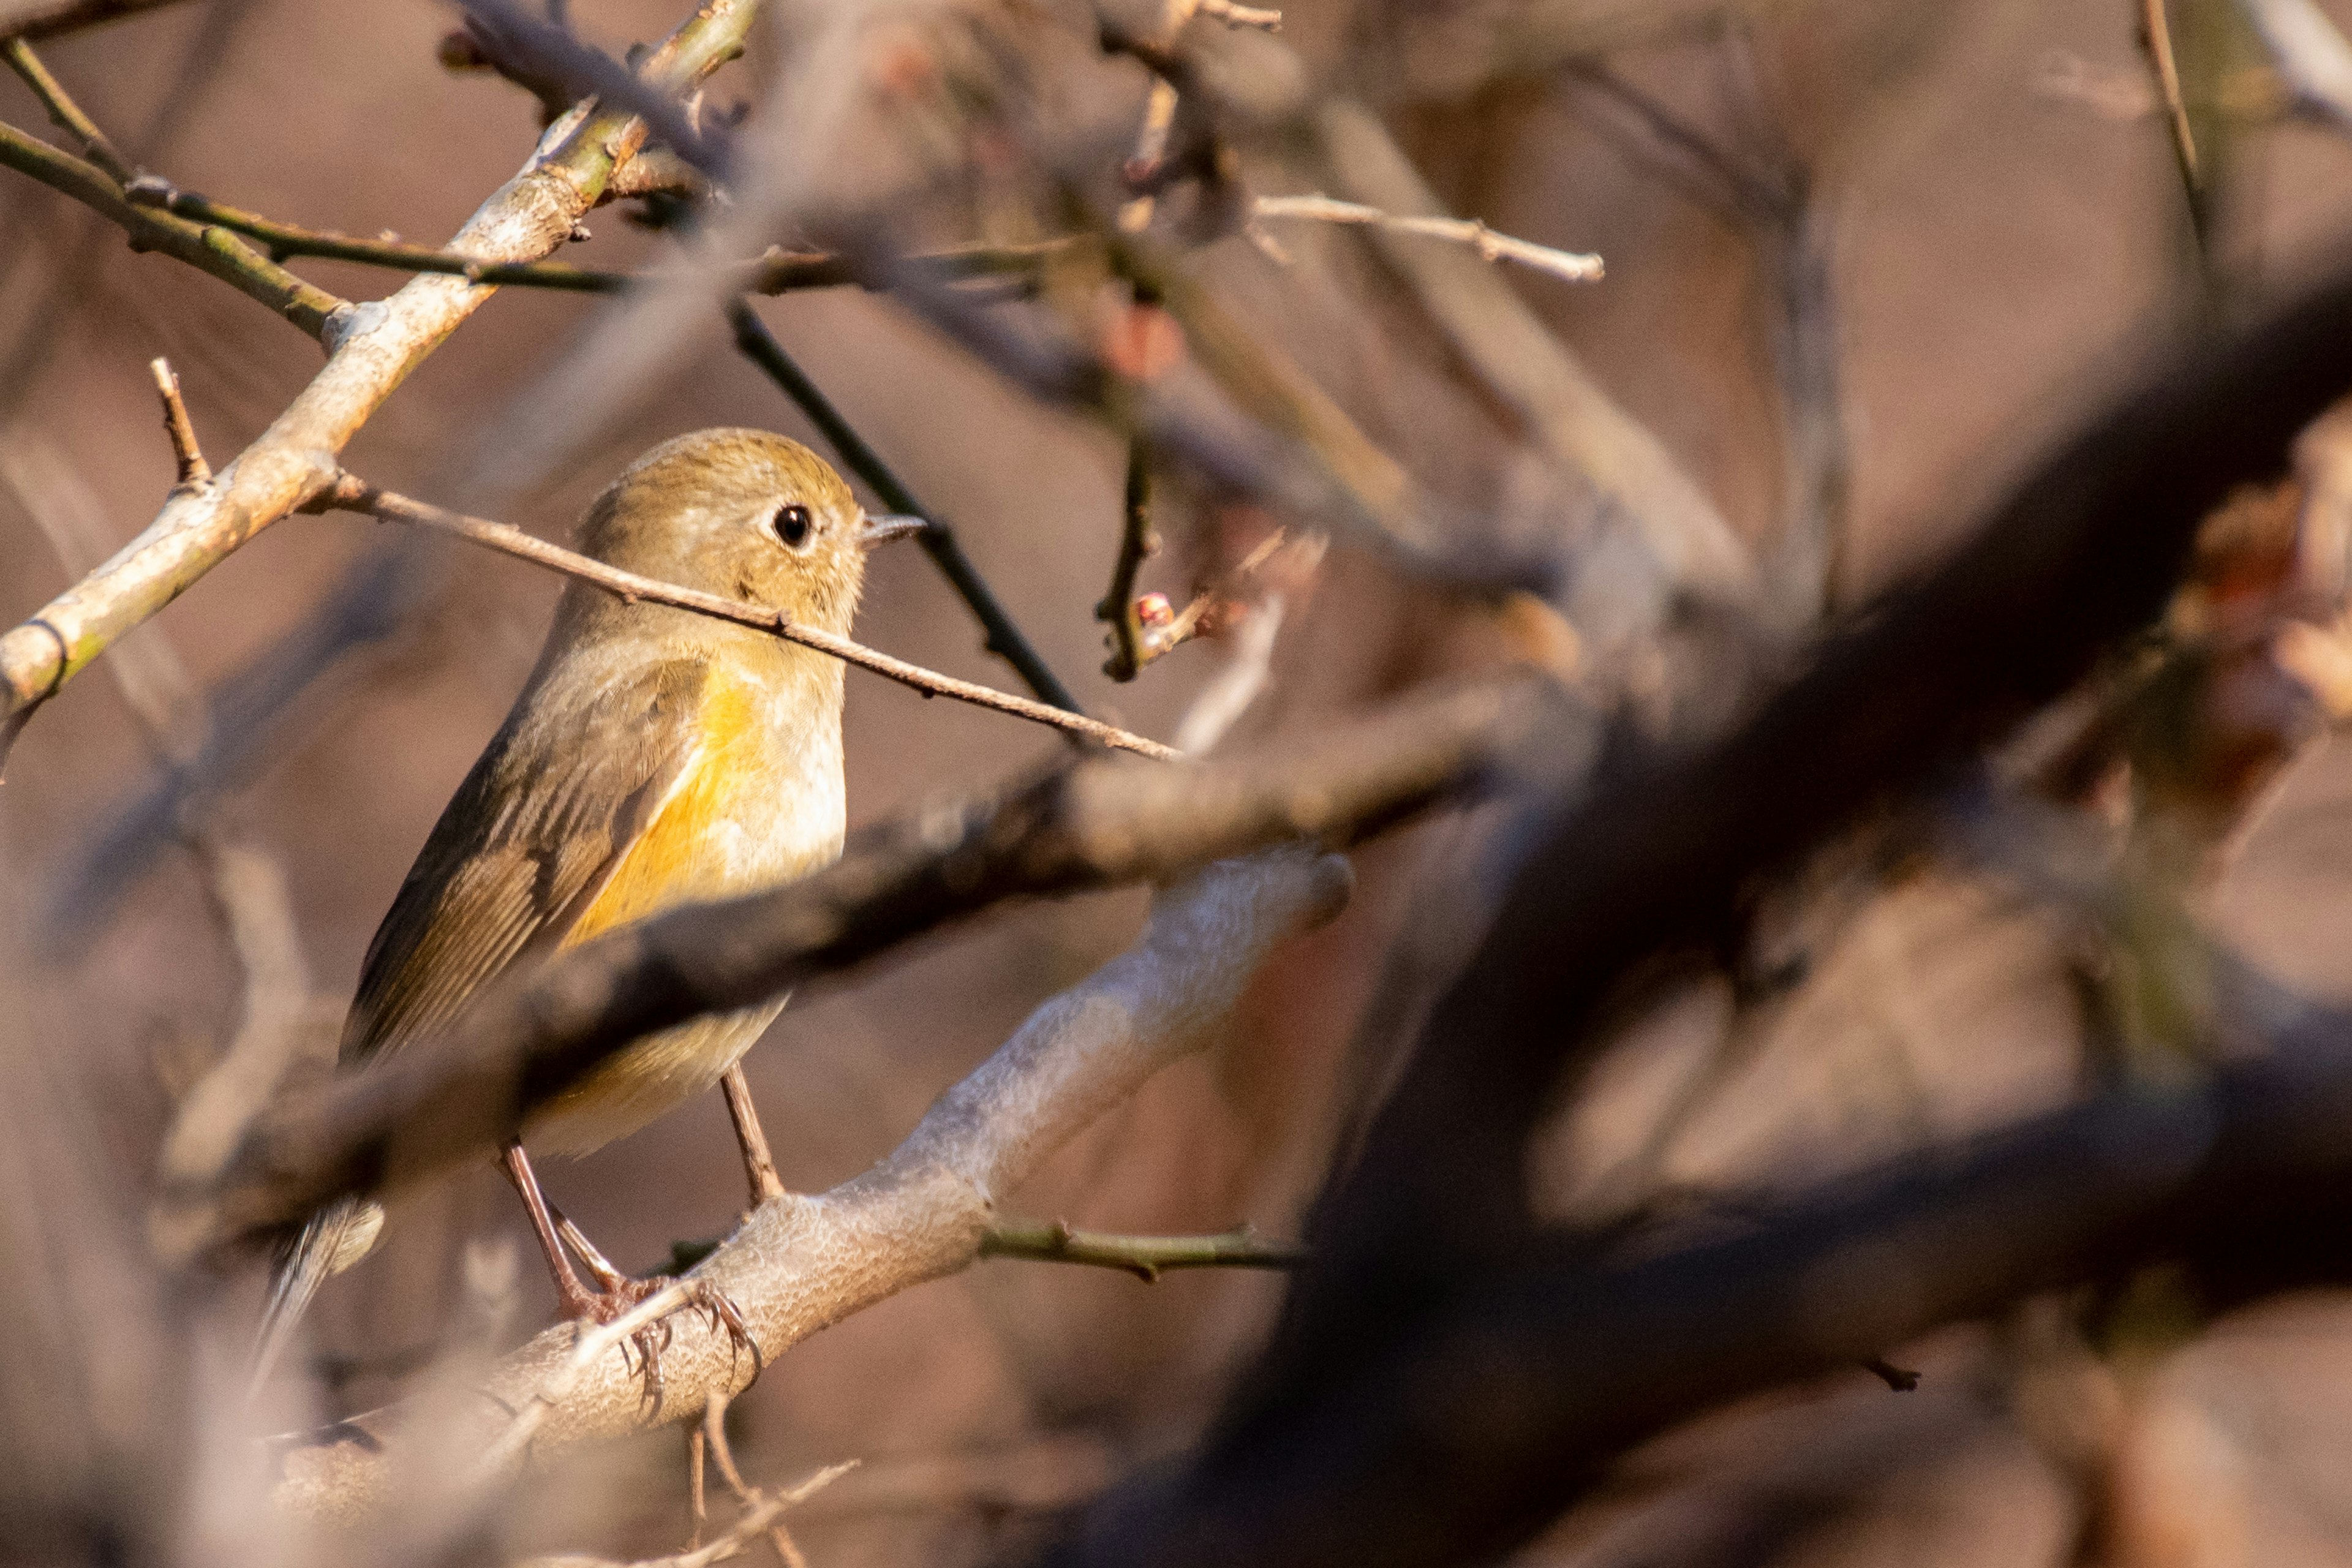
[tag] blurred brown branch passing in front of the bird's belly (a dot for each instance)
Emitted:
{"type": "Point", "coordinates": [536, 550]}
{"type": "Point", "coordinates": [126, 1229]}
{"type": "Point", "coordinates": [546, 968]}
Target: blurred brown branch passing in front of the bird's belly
{"type": "Point", "coordinates": [1104, 824]}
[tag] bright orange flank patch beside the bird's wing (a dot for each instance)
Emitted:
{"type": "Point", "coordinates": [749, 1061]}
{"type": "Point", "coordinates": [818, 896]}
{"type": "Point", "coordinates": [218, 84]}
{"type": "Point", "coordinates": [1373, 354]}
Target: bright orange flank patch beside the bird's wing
{"type": "Point", "coordinates": [671, 862]}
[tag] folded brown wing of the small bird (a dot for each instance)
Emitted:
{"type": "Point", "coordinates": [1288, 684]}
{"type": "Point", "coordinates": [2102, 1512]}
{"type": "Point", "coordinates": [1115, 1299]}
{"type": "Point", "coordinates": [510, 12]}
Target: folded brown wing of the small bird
{"type": "Point", "coordinates": [540, 826]}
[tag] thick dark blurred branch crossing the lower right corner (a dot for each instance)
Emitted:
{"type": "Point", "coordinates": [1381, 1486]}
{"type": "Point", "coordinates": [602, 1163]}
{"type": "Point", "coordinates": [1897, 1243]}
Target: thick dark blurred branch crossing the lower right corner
{"type": "Point", "coordinates": [1478, 1426]}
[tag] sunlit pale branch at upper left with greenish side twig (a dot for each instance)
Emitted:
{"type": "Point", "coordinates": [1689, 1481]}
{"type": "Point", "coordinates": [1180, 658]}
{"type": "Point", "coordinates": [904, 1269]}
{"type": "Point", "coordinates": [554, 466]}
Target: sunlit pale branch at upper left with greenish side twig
{"type": "Point", "coordinates": [370, 351]}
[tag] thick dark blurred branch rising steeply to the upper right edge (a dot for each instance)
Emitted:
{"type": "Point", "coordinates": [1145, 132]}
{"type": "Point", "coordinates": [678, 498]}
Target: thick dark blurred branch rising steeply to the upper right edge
{"type": "Point", "coordinates": [1412, 1242]}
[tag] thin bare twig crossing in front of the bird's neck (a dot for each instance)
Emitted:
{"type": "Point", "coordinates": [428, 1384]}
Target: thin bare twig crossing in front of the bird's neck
{"type": "Point", "coordinates": [359, 497]}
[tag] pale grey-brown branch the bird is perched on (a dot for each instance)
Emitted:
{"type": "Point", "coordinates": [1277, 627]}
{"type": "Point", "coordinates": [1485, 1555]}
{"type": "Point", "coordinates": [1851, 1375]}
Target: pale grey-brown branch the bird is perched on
{"type": "Point", "coordinates": [810, 1261]}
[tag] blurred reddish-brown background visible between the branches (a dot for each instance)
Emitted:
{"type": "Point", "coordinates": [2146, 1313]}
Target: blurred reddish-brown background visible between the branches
{"type": "Point", "coordinates": [2007, 225]}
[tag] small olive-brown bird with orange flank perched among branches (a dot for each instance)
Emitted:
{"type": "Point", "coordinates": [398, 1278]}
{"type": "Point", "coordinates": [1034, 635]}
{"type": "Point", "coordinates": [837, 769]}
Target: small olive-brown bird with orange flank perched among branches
{"type": "Point", "coordinates": [655, 758]}
